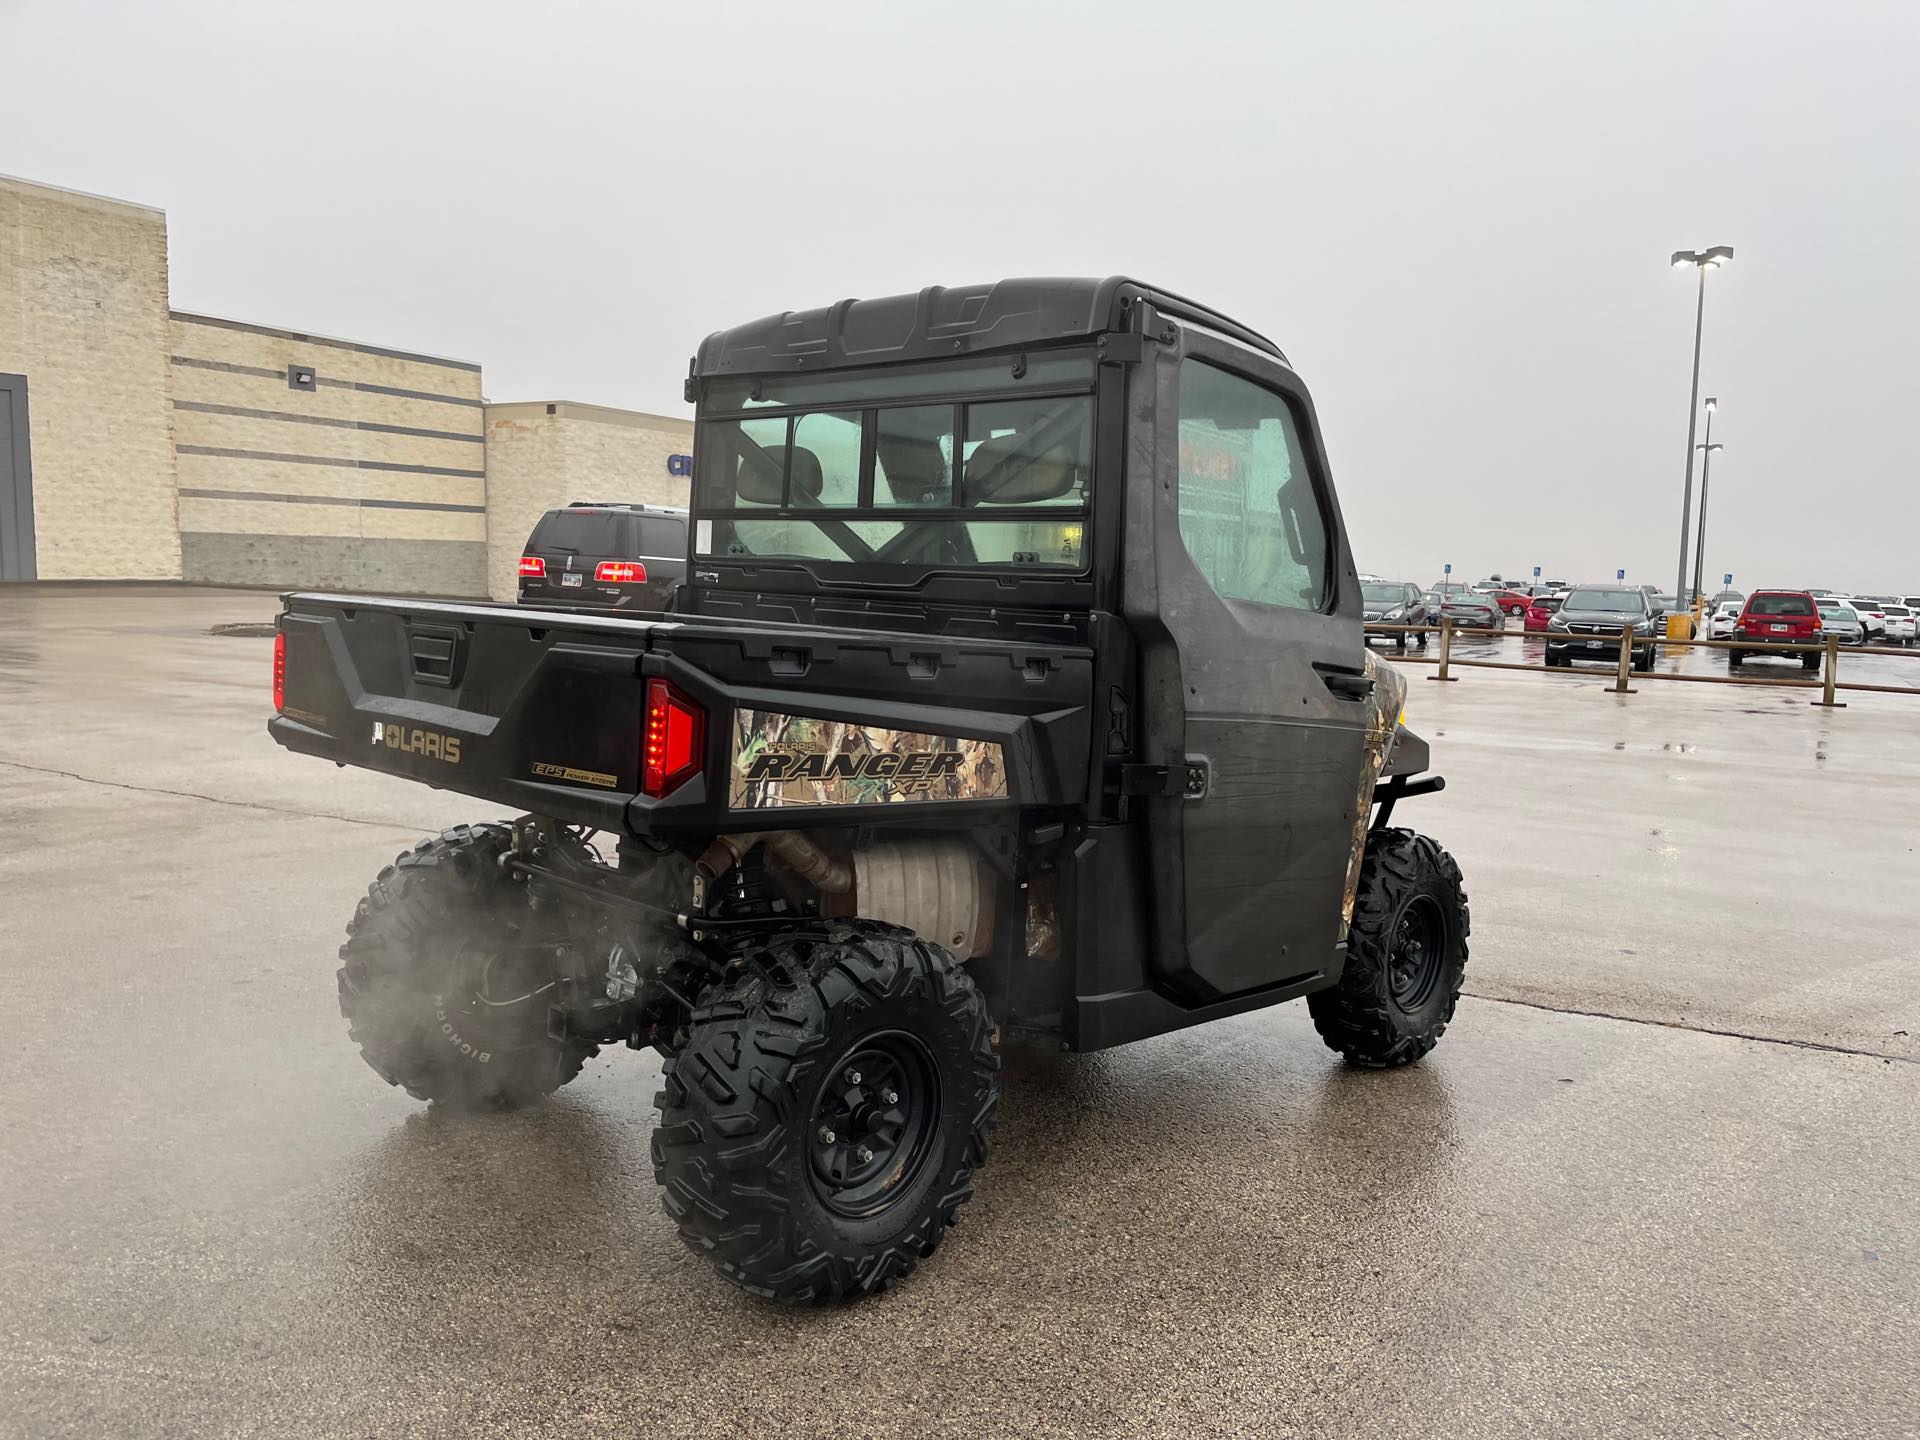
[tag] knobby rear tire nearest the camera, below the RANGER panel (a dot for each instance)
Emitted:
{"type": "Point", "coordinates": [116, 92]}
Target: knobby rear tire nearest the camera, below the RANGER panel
{"type": "Point", "coordinates": [821, 1128]}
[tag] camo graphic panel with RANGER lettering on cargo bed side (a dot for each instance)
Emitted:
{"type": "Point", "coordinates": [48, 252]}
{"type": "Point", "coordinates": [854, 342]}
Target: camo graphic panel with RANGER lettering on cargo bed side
{"type": "Point", "coordinates": [794, 759]}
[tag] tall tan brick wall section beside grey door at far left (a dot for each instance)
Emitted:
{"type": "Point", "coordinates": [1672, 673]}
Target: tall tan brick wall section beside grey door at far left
{"type": "Point", "coordinates": [84, 316]}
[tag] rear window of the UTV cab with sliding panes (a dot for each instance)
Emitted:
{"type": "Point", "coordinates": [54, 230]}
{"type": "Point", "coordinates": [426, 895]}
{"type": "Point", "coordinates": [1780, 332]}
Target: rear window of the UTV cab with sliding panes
{"type": "Point", "coordinates": [986, 464]}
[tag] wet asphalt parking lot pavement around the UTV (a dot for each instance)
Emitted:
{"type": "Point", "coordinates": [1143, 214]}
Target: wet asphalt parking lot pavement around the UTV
{"type": "Point", "coordinates": [1660, 1178]}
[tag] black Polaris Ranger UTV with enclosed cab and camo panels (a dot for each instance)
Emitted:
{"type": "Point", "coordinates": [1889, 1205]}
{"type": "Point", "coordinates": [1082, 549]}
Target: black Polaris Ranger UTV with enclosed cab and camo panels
{"type": "Point", "coordinates": [1017, 688]}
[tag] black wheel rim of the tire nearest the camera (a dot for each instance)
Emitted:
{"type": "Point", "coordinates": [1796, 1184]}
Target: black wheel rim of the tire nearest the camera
{"type": "Point", "coordinates": [875, 1122]}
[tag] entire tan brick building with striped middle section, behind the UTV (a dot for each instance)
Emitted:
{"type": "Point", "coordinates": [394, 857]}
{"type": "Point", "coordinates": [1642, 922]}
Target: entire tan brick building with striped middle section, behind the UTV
{"type": "Point", "coordinates": [153, 444]}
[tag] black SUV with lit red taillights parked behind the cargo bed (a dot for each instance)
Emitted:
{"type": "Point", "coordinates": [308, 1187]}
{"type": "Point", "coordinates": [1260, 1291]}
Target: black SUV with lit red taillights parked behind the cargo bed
{"type": "Point", "coordinates": [610, 558]}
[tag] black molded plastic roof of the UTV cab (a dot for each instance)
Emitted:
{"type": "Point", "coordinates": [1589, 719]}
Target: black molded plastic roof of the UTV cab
{"type": "Point", "coordinates": [942, 322]}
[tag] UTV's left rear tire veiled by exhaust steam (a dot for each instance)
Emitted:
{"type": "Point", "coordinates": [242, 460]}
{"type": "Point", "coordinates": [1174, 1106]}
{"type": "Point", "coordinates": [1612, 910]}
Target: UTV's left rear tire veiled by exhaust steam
{"type": "Point", "coordinates": [439, 986]}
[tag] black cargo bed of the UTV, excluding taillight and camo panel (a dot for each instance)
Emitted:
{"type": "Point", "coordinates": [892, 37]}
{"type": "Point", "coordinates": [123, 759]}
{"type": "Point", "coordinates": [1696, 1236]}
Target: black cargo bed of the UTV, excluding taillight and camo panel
{"type": "Point", "coordinates": [546, 711]}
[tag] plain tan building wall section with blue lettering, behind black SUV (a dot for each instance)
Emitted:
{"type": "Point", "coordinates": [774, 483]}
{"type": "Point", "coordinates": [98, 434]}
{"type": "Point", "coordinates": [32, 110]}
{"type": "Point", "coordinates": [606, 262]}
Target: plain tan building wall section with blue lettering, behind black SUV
{"type": "Point", "coordinates": [542, 456]}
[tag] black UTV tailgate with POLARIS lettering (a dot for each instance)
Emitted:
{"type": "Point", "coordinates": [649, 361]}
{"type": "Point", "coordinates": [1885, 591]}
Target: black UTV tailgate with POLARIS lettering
{"type": "Point", "coordinates": [533, 709]}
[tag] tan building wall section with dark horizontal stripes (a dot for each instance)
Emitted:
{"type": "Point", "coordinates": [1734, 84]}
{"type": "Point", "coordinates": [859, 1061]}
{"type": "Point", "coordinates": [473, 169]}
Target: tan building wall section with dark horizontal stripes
{"type": "Point", "coordinates": [372, 479]}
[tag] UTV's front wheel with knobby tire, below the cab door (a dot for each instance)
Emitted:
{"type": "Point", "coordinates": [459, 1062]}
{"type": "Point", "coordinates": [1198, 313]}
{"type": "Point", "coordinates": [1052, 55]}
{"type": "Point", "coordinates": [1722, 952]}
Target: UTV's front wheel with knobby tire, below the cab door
{"type": "Point", "coordinates": [1406, 955]}
